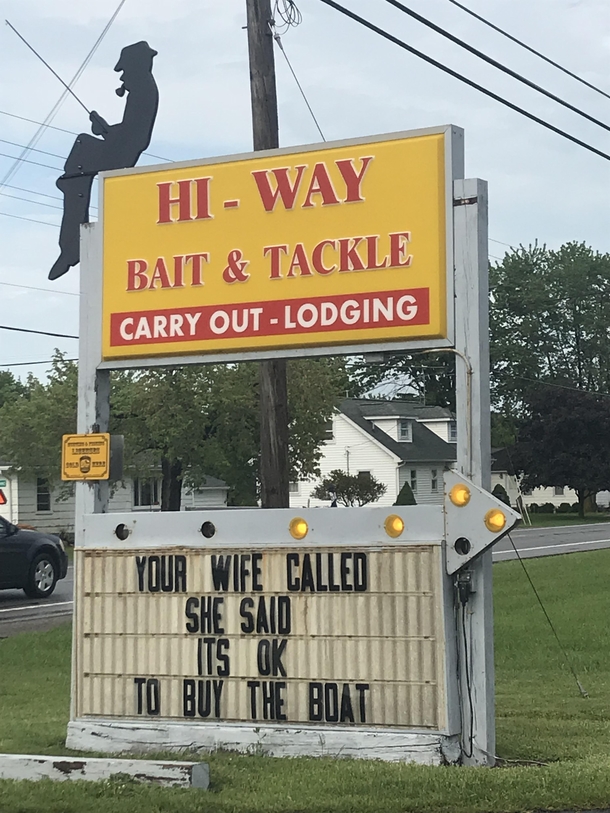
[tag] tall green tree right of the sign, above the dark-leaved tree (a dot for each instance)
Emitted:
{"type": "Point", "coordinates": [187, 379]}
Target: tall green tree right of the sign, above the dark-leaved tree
{"type": "Point", "coordinates": [549, 318]}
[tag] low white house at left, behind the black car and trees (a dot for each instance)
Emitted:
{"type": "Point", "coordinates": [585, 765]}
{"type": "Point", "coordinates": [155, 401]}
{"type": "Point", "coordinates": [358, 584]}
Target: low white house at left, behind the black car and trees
{"type": "Point", "coordinates": [52, 509]}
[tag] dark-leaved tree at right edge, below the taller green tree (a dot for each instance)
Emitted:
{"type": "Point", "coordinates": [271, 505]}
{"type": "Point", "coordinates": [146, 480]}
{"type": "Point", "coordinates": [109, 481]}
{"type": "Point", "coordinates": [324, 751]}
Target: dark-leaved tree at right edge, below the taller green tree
{"type": "Point", "coordinates": [565, 441]}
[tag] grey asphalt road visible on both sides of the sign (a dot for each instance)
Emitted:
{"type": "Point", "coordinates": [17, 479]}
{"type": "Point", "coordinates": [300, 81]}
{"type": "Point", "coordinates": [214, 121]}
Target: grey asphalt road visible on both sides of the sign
{"type": "Point", "coordinates": [18, 613]}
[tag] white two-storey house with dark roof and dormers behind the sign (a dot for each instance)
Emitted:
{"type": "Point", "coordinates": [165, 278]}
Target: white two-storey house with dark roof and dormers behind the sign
{"type": "Point", "coordinates": [394, 441]}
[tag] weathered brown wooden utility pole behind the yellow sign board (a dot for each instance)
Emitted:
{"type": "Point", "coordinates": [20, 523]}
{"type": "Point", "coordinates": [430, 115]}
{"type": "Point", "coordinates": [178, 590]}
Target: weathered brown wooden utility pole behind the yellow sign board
{"type": "Point", "coordinates": [272, 378]}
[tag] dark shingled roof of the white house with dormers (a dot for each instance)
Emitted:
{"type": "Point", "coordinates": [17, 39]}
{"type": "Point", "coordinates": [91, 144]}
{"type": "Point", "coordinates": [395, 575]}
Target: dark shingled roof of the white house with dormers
{"type": "Point", "coordinates": [425, 446]}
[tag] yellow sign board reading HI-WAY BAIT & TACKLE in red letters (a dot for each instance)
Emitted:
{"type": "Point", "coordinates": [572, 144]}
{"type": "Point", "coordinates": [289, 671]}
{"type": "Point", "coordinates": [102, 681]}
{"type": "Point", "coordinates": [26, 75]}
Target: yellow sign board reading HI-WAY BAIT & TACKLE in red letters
{"type": "Point", "coordinates": [337, 246]}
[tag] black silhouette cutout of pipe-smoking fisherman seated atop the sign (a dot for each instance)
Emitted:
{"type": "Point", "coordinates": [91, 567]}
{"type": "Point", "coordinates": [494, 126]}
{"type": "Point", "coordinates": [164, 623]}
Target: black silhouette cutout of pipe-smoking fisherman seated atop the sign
{"type": "Point", "coordinates": [119, 147]}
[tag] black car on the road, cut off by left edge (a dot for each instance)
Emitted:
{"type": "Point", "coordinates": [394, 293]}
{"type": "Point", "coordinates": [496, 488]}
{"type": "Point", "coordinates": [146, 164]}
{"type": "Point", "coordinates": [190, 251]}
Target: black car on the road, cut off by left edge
{"type": "Point", "coordinates": [30, 560]}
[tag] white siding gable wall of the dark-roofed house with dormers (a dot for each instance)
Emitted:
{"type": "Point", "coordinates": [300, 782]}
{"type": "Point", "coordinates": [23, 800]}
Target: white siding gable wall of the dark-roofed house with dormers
{"type": "Point", "coordinates": [353, 450]}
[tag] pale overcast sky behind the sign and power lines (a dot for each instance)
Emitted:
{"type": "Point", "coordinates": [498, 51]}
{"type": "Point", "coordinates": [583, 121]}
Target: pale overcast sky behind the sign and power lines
{"type": "Point", "coordinates": [541, 186]}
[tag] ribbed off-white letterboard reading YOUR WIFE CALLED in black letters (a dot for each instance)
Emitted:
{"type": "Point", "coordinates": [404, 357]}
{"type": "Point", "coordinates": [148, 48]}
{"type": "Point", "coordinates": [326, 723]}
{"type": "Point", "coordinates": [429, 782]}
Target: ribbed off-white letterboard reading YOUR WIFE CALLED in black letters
{"type": "Point", "coordinates": [304, 634]}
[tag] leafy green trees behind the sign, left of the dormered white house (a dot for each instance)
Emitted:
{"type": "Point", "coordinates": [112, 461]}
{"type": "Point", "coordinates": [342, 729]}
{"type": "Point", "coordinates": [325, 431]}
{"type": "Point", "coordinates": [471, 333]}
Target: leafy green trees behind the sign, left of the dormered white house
{"type": "Point", "coordinates": [188, 423]}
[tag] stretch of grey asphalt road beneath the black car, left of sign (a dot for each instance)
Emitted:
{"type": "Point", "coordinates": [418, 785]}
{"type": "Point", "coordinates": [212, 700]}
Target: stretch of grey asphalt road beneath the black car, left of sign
{"type": "Point", "coordinates": [18, 613]}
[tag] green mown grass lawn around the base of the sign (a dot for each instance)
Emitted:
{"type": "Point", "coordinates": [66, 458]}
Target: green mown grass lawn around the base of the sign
{"type": "Point", "coordinates": [540, 716]}
